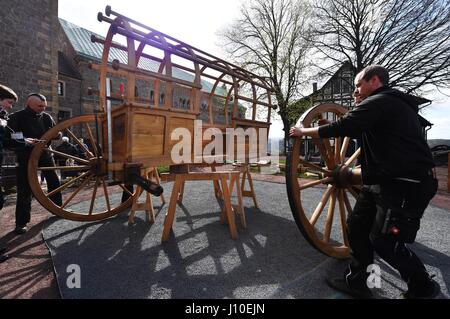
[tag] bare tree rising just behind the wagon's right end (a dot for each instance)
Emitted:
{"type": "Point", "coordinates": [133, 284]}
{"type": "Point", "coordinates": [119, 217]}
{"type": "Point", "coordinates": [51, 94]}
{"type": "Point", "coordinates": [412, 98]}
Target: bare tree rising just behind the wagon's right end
{"type": "Point", "coordinates": [271, 39]}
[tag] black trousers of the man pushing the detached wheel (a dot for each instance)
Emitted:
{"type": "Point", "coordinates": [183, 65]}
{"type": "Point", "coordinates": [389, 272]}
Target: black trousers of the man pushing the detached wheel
{"type": "Point", "coordinates": [384, 218]}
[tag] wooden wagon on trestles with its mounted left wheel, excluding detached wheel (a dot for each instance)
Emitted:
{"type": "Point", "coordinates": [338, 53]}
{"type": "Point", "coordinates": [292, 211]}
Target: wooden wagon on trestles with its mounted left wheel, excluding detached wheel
{"type": "Point", "coordinates": [139, 114]}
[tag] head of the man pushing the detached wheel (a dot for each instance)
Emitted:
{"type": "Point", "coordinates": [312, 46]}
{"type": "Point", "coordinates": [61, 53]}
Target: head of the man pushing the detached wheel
{"type": "Point", "coordinates": [370, 79]}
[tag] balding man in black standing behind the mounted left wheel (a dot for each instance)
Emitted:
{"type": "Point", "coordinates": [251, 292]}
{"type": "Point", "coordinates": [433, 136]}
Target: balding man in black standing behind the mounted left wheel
{"type": "Point", "coordinates": [29, 125]}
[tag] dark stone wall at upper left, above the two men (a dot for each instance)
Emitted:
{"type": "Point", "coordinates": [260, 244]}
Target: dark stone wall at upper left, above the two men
{"type": "Point", "coordinates": [28, 52]}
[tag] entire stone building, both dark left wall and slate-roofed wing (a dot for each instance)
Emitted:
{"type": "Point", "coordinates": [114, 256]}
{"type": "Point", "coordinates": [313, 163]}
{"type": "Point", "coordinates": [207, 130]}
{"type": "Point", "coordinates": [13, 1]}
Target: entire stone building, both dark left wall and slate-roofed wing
{"type": "Point", "coordinates": [41, 53]}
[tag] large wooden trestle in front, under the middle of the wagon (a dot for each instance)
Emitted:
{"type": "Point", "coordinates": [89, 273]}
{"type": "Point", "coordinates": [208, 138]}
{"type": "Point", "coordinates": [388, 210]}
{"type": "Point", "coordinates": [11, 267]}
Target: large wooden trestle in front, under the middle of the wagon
{"type": "Point", "coordinates": [219, 178]}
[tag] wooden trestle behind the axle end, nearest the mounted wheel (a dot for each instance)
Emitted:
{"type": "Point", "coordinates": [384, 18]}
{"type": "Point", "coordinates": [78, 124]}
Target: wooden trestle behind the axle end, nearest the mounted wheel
{"type": "Point", "coordinates": [147, 206]}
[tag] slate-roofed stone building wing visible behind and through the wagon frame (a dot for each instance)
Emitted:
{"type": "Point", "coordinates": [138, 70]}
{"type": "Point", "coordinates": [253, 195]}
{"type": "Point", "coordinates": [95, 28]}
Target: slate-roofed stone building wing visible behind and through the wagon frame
{"type": "Point", "coordinates": [77, 51]}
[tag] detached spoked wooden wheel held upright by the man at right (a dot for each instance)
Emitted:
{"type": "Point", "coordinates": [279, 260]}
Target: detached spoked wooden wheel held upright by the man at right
{"type": "Point", "coordinates": [336, 176]}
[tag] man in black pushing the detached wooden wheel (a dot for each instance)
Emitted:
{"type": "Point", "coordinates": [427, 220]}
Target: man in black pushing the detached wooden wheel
{"type": "Point", "coordinates": [398, 177]}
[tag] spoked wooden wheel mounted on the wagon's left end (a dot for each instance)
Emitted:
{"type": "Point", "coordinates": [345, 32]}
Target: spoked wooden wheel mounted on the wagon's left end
{"type": "Point", "coordinates": [88, 194]}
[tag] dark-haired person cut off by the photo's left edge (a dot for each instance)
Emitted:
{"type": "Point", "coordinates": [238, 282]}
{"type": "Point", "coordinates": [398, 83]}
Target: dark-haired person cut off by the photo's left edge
{"type": "Point", "coordinates": [7, 99]}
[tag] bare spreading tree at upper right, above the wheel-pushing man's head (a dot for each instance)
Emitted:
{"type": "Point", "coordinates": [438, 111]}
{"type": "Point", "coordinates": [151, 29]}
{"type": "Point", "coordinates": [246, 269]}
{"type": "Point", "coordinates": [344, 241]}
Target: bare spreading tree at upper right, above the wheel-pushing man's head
{"type": "Point", "coordinates": [409, 37]}
